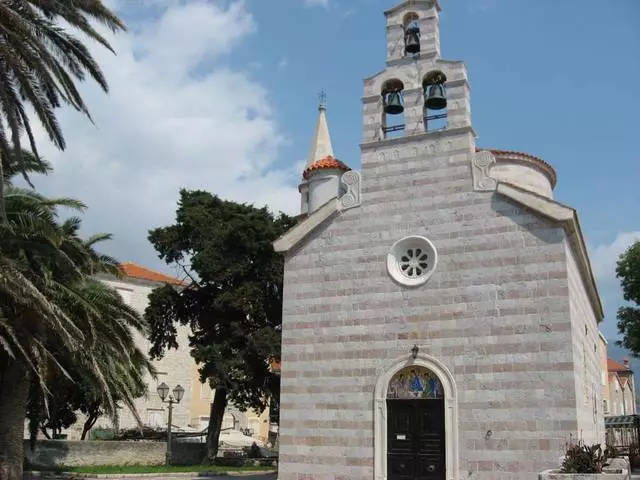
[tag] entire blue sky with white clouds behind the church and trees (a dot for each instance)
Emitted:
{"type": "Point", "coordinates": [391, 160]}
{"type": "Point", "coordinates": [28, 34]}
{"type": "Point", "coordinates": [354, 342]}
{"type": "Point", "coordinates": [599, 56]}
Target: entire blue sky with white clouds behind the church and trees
{"type": "Point", "coordinates": [222, 96]}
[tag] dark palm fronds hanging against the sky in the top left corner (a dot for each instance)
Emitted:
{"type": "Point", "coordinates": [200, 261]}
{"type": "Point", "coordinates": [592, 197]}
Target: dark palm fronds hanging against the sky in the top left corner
{"type": "Point", "coordinates": [40, 64]}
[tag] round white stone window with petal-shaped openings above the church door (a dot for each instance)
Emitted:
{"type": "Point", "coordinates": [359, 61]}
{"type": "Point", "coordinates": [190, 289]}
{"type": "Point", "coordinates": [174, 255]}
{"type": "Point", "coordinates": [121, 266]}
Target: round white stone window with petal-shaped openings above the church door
{"type": "Point", "coordinates": [412, 260]}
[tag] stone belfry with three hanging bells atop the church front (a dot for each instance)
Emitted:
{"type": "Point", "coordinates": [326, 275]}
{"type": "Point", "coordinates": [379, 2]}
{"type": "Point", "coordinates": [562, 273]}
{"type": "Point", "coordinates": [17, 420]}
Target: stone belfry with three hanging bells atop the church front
{"type": "Point", "coordinates": [418, 94]}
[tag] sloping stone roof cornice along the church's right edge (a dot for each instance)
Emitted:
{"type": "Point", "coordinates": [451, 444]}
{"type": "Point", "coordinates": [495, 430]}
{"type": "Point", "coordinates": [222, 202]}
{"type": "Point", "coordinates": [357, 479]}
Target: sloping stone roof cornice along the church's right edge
{"type": "Point", "coordinates": [568, 217]}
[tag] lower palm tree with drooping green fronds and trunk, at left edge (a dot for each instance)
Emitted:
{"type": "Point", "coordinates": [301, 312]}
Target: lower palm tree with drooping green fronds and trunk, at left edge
{"type": "Point", "coordinates": [53, 313]}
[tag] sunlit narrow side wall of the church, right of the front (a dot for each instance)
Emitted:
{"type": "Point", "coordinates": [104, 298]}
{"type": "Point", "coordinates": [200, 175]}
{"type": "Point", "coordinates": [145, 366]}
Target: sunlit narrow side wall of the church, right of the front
{"type": "Point", "coordinates": [585, 347]}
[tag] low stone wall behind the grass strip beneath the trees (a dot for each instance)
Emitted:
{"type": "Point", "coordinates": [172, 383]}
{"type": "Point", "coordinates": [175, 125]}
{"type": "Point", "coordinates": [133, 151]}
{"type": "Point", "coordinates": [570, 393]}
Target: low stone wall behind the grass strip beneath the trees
{"type": "Point", "coordinates": [51, 453]}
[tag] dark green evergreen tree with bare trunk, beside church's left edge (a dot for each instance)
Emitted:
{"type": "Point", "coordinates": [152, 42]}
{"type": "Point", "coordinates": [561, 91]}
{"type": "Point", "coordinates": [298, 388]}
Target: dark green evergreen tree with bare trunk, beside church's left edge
{"type": "Point", "coordinates": [233, 303]}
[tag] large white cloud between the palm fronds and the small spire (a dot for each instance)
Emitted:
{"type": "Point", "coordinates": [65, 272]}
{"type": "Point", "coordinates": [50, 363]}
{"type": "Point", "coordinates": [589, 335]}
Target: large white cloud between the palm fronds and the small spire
{"type": "Point", "coordinates": [176, 116]}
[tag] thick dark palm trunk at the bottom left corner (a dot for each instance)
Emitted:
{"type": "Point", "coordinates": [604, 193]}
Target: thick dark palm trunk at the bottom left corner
{"type": "Point", "coordinates": [14, 395]}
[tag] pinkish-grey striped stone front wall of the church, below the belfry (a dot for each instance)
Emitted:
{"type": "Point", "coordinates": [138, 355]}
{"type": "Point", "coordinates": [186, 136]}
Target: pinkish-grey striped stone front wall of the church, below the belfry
{"type": "Point", "coordinates": [495, 313]}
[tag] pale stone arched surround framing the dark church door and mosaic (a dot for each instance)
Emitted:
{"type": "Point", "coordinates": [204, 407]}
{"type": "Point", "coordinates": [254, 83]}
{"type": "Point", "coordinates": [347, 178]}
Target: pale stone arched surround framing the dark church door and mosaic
{"type": "Point", "coordinates": [422, 364]}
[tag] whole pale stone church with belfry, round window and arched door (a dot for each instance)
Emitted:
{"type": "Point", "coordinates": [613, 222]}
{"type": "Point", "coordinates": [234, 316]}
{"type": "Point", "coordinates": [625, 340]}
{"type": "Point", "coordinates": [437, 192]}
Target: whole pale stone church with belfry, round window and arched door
{"type": "Point", "coordinates": [440, 311]}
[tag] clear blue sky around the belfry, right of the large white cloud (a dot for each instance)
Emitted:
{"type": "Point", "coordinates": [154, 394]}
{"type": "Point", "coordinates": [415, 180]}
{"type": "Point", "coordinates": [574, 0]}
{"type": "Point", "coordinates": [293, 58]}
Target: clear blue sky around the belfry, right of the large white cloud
{"type": "Point", "coordinates": [555, 79]}
